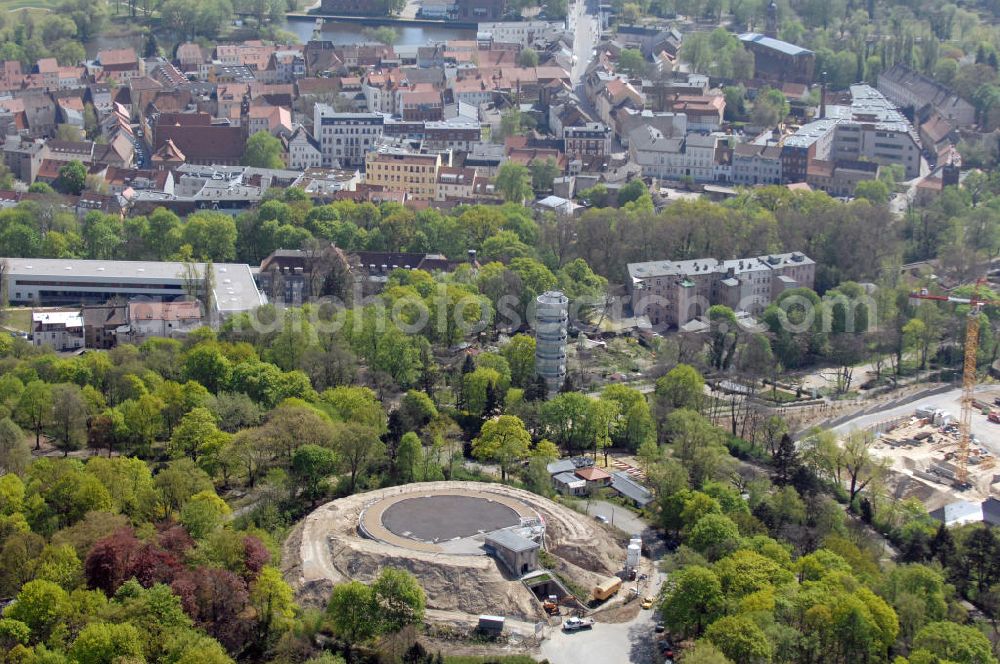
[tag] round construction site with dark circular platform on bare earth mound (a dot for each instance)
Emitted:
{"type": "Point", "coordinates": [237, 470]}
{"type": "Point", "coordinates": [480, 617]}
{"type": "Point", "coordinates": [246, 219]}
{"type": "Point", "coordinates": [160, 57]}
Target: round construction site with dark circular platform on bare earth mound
{"type": "Point", "coordinates": [475, 548]}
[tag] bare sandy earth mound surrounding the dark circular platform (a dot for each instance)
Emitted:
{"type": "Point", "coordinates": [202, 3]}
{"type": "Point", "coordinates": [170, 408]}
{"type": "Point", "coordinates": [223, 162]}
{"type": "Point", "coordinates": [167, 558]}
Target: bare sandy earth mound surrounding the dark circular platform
{"type": "Point", "coordinates": [327, 548]}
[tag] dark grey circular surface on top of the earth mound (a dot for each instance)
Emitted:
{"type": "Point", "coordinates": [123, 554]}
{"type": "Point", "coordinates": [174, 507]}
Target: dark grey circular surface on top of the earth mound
{"type": "Point", "coordinates": [437, 518]}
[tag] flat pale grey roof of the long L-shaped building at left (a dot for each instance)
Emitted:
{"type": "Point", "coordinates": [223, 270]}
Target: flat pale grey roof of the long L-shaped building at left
{"type": "Point", "coordinates": [235, 289]}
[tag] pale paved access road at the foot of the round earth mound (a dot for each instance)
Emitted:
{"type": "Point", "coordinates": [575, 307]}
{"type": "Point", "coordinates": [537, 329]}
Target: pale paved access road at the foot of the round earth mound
{"type": "Point", "coordinates": [608, 643]}
